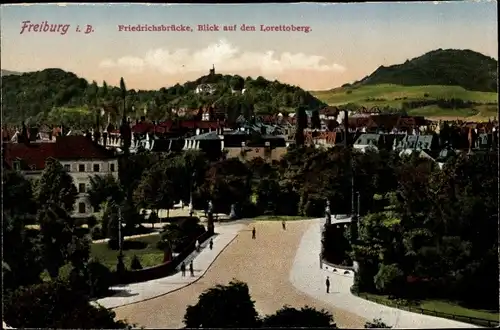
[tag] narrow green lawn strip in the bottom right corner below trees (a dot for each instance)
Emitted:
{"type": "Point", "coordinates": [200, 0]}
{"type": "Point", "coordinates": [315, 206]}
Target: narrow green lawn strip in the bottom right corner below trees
{"type": "Point", "coordinates": [441, 306]}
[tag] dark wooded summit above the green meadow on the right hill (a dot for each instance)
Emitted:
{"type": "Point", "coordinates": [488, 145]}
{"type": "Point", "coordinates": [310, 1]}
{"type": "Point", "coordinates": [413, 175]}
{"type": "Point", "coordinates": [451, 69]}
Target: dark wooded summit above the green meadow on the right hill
{"type": "Point", "coordinates": [466, 68]}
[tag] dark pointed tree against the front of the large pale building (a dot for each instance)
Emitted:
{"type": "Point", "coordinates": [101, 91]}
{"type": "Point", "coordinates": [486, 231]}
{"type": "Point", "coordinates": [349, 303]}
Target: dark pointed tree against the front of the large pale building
{"type": "Point", "coordinates": [56, 187]}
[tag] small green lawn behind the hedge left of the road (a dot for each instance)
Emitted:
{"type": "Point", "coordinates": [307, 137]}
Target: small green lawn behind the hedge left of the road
{"type": "Point", "coordinates": [143, 247]}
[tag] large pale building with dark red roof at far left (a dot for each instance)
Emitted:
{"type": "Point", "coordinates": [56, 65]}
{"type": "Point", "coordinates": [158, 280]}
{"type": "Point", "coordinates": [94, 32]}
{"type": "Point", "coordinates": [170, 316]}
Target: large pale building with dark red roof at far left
{"type": "Point", "coordinates": [81, 157]}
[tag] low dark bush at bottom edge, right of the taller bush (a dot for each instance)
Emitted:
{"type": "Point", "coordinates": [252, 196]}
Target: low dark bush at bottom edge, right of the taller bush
{"type": "Point", "coordinates": [304, 317]}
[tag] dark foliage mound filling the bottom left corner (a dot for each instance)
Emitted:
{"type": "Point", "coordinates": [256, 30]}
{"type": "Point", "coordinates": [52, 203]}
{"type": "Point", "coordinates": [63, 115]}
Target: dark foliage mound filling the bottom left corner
{"type": "Point", "coordinates": [55, 305]}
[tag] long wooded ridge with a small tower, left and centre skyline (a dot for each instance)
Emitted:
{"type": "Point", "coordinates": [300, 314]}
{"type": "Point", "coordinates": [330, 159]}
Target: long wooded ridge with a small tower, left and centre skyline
{"type": "Point", "coordinates": [41, 96]}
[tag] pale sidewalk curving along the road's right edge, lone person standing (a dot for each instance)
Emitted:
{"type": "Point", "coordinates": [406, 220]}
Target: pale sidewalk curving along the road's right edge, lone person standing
{"type": "Point", "coordinates": [307, 276]}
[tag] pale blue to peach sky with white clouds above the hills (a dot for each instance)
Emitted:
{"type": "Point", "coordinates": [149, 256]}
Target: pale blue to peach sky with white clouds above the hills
{"type": "Point", "coordinates": [328, 44]}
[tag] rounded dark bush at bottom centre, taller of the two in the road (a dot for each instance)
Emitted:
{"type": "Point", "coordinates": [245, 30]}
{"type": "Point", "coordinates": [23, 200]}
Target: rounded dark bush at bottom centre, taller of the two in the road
{"type": "Point", "coordinates": [228, 306]}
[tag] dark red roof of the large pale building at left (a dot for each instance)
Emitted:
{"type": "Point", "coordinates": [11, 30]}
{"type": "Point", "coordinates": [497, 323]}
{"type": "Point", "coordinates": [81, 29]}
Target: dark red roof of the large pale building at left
{"type": "Point", "coordinates": [34, 155]}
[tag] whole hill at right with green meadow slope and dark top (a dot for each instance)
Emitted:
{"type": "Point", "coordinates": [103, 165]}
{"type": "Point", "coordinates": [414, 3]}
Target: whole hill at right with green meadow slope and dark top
{"type": "Point", "coordinates": [441, 83]}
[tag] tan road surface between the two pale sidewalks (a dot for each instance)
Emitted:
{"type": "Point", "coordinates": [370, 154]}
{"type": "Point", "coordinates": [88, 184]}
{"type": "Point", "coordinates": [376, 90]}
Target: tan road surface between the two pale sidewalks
{"type": "Point", "coordinates": [264, 264]}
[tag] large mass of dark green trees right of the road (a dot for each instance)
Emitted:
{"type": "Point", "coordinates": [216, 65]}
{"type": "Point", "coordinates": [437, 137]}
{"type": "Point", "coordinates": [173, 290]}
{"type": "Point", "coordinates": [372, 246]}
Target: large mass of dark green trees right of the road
{"type": "Point", "coordinates": [438, 236]}
